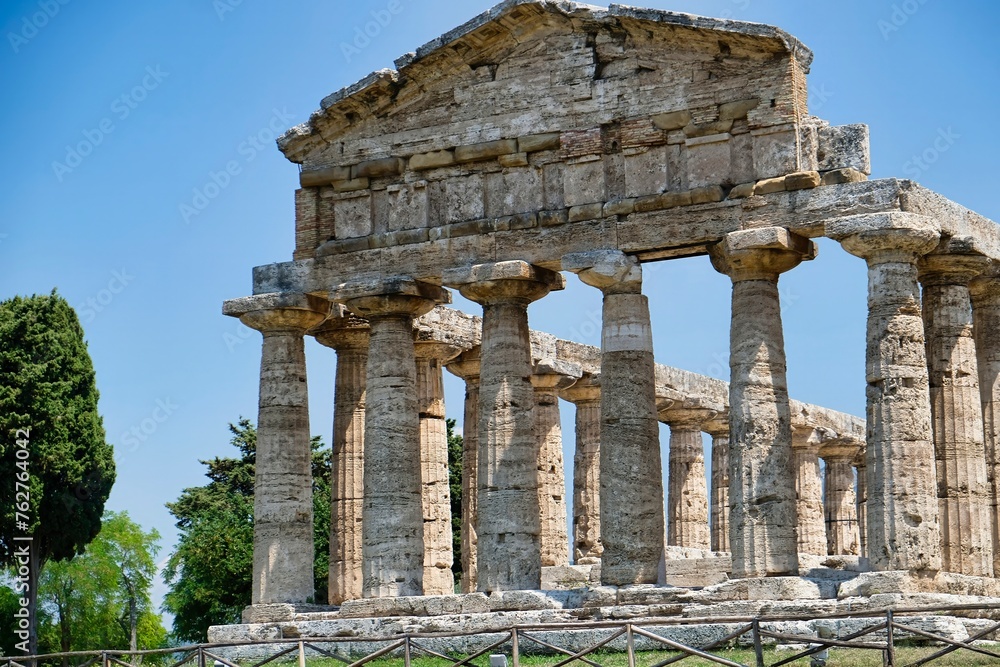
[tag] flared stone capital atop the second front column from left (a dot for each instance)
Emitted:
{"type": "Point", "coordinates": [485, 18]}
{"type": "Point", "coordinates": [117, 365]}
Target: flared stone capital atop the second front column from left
{"type": "Point", "coordinates": [389, 295]}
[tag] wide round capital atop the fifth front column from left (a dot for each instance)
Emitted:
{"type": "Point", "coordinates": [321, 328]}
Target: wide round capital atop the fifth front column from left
{"type": "Point", "coordinates": [760, 254]}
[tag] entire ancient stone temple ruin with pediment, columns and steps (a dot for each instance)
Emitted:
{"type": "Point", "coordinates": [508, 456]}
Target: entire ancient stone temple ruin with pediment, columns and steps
{"type": "Point", "coordinates": [548, 137]}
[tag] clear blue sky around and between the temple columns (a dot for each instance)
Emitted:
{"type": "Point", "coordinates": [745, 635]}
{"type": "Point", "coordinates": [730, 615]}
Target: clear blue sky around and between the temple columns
{"type": "Point", "coordinates": [161, 95]}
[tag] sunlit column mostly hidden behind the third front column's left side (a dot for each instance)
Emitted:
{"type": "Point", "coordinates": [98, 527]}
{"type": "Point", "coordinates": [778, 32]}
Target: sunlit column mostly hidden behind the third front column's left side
{"type": "Point", "coordinates": [467, 367]}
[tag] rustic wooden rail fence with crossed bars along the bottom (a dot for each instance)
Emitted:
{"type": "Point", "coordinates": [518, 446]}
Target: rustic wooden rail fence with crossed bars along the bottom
{"type": "Point", "coordinates": [516, 637]}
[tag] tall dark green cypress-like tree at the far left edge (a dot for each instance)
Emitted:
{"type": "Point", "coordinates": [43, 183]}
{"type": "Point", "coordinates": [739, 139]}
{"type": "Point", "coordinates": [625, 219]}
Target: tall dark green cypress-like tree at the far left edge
{"type": "Point", "coordinates": [48, 407]}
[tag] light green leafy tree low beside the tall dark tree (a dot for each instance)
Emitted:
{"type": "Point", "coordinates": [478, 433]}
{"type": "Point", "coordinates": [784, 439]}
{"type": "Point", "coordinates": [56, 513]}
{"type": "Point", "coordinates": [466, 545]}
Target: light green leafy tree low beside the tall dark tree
{"type": "Point", "coordinates": [101, 599]}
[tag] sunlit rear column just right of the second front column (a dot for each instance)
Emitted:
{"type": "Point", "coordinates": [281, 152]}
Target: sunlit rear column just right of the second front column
{"type": "Point", "coordinates": [438, 556]}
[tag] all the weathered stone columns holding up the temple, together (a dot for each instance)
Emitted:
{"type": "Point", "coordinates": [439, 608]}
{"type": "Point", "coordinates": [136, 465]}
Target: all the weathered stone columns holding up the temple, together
{"type": "Point", "coordinates": [929, 488]}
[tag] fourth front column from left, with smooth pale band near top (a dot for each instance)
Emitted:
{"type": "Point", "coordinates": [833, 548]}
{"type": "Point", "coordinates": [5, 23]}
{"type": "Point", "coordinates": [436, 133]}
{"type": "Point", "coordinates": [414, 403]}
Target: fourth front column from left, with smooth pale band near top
{"type": "Point", "coordinates": [631, 470]}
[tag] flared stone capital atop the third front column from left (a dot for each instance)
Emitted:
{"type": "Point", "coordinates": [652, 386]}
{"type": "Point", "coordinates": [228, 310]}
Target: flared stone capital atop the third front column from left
{"type": "Point", "coordinates": [511, 281]}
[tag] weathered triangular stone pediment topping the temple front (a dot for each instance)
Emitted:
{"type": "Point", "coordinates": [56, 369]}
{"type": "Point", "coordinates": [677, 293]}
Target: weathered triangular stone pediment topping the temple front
{"type": "Point", "coordinates": [529, 66]}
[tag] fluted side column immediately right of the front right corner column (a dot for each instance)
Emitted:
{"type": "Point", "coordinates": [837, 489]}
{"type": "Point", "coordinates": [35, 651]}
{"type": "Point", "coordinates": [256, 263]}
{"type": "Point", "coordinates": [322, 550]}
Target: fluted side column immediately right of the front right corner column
{"type": "Point", "coordinates": [964, 497]}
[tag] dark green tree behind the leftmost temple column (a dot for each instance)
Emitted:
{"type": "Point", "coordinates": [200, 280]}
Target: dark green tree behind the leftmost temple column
{"type": "Point", "coordinates": [210, 571]}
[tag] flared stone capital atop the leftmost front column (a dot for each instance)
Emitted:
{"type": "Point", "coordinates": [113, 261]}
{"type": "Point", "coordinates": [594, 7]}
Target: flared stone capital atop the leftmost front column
{"type": "Point", "coordinates": [279, 312]}
